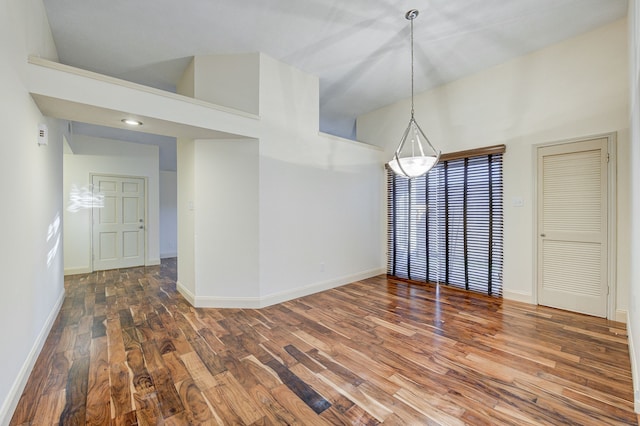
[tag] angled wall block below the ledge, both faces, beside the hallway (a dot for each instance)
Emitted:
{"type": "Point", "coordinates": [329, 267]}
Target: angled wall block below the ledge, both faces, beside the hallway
{"type": "Point", "coordinates": [218, 221]}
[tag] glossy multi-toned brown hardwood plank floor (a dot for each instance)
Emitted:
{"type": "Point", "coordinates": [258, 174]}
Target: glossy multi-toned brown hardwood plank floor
{"type": "Point", "coordinates": [127, 349]}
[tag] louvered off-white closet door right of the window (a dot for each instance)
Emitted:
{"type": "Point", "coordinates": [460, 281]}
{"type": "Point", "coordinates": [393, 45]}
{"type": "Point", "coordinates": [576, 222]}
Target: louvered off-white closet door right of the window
{"type": "Point", "coordinates": [572, 226]}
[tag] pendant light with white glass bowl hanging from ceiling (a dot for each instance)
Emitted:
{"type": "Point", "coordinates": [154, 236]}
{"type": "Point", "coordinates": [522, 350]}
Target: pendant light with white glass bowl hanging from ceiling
{"type": "Point", "coordinates": [415, 155]}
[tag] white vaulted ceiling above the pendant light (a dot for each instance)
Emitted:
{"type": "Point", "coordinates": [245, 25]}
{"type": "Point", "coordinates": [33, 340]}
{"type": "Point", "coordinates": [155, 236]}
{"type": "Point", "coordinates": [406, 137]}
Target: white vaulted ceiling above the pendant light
{"type": "Point", "coordinates": [359, 49]}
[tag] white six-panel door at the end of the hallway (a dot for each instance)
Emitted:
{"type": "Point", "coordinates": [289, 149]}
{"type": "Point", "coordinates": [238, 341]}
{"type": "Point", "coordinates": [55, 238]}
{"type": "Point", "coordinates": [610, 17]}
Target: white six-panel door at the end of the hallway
{"type": "Point", "coordinates": [118, 224]}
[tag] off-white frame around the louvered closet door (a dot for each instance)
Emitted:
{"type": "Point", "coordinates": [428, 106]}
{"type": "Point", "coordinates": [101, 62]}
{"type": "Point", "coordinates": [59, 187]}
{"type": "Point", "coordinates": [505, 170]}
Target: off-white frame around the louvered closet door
{"type": "Point", "coordinates": [612, 208]}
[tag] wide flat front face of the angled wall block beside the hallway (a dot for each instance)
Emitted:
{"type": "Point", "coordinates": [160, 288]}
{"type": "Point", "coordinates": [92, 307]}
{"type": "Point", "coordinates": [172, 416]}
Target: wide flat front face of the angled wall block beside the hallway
{"type": "Point", "coordinates": [226, 226]}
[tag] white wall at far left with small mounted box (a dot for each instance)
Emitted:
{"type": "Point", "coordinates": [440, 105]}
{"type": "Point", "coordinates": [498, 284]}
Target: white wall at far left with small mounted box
{"type": "Point", "coordinates": [31, 213]}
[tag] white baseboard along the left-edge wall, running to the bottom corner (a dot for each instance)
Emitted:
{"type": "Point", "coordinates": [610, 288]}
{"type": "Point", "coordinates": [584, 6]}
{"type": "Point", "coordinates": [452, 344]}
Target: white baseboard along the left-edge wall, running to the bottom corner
{"type": "Point", "coordinates": [11, 402]}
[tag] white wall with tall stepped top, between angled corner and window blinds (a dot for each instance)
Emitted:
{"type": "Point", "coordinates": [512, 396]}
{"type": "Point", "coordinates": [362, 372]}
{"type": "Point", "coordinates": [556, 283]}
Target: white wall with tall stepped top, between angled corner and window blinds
{"type": "Point", "coordinates": [320, 201]}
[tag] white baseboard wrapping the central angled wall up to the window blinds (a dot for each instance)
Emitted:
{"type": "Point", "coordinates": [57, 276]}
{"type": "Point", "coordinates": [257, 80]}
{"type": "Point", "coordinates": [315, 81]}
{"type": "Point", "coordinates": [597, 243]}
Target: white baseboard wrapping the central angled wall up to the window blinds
{"type": "Point", "coordinates": [272, 299]}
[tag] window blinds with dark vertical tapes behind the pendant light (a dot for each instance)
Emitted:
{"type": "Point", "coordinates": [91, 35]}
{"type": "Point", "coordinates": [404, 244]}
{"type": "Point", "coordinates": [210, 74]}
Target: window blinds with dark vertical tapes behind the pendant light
{"type": "Point", "coordinates": [446, 226]}
